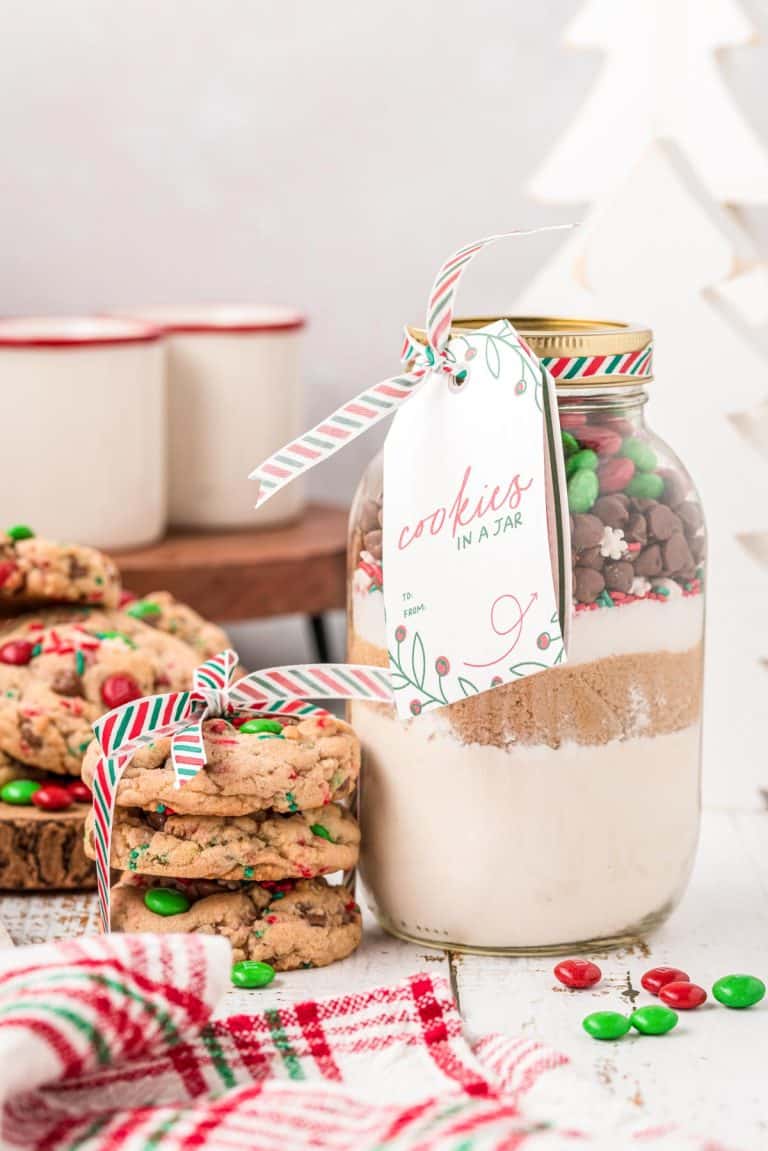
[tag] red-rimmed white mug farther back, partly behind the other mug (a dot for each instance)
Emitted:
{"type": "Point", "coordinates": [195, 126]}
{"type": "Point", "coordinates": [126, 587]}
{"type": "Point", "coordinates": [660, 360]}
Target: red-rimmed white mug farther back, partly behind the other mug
{"type": "Point", "coordinates": [235, 398]}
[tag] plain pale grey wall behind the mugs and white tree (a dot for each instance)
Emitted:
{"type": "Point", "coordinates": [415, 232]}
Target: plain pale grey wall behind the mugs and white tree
{"type": "Point", "coordinates": [321, 155]}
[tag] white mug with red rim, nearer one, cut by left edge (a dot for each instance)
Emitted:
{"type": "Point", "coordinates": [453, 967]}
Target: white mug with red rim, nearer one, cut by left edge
{"type": "Point", "coordinates": [85, 456]}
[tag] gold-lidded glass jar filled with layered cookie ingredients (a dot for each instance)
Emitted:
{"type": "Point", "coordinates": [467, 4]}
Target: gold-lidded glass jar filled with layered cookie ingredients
{"type": "Point", "coordinates": [561, 811]}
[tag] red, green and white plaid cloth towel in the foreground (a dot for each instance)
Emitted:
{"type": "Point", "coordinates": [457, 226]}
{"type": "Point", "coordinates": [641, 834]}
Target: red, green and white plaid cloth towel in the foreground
{"type": "Point", "coordinates": [110, 1045]}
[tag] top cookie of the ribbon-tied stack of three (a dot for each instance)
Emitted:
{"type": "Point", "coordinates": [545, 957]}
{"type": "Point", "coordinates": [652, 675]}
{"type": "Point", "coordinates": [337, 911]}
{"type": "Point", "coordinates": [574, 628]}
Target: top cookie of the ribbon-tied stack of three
{"type": "Point", "coordinates": [306, 765]}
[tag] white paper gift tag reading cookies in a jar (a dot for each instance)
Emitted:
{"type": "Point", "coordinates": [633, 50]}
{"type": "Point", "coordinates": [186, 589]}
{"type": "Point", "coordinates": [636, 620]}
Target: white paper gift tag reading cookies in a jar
{"type": "Point", "coordinates": [476, 540]}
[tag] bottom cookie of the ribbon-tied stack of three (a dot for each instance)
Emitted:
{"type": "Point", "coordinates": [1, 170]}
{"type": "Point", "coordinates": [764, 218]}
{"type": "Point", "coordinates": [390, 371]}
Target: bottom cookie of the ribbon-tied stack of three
{"type": "Point", "coordinates": [288, 925]}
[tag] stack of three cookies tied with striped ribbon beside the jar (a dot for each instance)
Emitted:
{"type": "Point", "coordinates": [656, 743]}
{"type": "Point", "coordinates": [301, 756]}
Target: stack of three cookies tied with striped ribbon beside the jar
{"type": "Point", "coordinates": [242, 849]}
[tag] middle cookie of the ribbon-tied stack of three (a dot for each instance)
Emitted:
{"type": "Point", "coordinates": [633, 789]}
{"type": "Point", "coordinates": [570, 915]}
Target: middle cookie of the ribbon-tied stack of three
{"type": "Point", "coordinates": [265, 847]}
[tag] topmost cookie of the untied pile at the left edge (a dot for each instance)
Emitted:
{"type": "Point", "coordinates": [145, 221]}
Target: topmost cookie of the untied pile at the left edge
{"type": "Point", "coordinates": [35, 571]}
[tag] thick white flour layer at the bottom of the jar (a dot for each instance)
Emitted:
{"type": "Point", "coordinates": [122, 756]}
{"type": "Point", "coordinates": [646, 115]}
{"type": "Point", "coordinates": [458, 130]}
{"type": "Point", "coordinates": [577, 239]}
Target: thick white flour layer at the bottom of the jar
{"type": "Point", "coordinates": [527, 848]}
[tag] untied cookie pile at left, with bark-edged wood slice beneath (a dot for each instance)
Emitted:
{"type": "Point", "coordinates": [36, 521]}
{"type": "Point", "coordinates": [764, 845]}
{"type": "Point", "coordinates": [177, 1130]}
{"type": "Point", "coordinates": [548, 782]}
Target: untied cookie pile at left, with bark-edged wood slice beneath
{"type": "Point", "coordinates": [73, 645]}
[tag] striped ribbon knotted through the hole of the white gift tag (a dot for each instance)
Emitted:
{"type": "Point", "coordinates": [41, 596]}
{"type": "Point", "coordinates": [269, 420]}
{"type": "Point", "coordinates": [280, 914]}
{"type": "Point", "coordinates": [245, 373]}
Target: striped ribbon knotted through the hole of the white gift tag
{"type": "Point", "coordinates": [372, 406]}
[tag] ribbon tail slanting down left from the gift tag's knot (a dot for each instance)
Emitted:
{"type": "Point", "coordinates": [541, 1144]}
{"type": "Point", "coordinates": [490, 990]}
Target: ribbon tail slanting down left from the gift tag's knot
{"type": "Point", "coordinates": [326, 439]}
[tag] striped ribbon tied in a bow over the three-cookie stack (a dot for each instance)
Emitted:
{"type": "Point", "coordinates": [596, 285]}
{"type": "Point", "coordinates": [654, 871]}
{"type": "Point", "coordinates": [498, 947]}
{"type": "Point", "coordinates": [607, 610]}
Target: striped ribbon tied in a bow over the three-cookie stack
{"type": "Point", "coordinates": [180, 716]}
